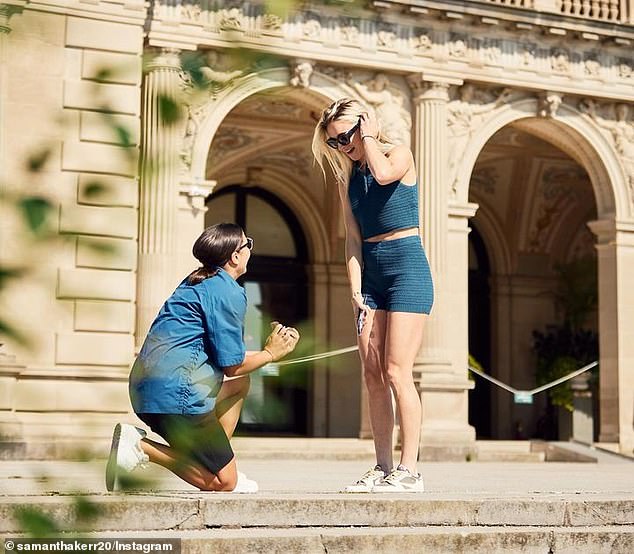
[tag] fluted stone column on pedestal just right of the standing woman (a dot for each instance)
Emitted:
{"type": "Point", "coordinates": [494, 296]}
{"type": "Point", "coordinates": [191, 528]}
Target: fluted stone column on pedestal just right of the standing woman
{"type": "Point", "coordinates": [445, 432]}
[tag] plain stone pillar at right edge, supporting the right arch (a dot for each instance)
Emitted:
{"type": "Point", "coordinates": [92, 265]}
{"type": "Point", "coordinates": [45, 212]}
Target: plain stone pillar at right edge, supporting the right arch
{"type": "Point", "coordinates": [615, 258]}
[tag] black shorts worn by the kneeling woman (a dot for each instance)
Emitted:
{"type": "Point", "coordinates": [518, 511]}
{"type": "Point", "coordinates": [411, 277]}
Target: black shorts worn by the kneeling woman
{"type": "Point", "coordinates": [198, 437]}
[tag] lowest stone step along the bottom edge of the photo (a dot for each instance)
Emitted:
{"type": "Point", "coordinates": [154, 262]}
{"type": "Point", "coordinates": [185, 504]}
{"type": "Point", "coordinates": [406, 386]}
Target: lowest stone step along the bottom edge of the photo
{"type": "Point", "coordinates": [401, 540]}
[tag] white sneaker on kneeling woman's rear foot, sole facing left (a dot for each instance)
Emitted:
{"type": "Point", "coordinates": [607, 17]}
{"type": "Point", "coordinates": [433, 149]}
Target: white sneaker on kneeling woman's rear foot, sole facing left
{"type": "Point", "coordinates": [125, 453]}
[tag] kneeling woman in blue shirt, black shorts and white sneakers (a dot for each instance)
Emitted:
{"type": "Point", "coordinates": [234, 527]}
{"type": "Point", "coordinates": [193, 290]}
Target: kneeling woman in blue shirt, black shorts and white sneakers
{"type": "Point", "coordinates": [190, 379]}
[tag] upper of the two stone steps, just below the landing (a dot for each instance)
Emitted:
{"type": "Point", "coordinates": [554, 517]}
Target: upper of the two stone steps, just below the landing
{"type": "Point", "coordinates": [180, 510]}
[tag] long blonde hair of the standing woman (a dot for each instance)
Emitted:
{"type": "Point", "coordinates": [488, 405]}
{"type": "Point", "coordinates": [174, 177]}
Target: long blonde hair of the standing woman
{"type": "Point", "coordinates": [344, 109]}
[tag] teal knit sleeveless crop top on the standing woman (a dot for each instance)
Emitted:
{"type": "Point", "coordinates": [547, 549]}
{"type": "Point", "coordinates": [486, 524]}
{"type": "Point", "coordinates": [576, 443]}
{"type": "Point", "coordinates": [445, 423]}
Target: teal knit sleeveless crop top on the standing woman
{"type": "Point", "coordinates": [379, 208]}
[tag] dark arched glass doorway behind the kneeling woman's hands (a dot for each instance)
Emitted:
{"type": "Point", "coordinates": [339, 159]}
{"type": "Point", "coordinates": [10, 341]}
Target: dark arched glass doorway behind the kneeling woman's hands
{"type": "Point", "coordinates": [276, 286]}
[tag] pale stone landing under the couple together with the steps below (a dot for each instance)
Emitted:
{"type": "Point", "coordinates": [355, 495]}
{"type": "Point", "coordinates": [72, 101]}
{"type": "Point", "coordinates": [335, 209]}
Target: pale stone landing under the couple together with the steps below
{"type": "Point", "coordinates": [492, 507]}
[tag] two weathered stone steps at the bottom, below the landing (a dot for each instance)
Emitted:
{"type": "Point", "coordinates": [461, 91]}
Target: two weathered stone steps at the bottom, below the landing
{"type": "Point", "coordinates": [220, 522]}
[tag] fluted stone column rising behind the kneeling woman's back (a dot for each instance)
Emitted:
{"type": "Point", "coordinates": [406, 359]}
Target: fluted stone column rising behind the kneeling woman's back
{"type": "Point", "coordinates": [159, 192]}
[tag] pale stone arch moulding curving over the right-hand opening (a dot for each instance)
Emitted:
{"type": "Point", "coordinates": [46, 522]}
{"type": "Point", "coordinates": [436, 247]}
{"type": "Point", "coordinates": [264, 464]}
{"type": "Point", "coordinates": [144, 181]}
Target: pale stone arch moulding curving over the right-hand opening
{"type": "Point", "coordinates": [581, 139]}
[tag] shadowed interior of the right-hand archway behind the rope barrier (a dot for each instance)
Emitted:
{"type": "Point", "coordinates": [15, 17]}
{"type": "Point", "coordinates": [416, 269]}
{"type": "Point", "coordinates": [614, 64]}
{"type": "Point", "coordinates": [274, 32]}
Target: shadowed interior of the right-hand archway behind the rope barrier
{"type": "Point", "coordinates": [535, 203]}
